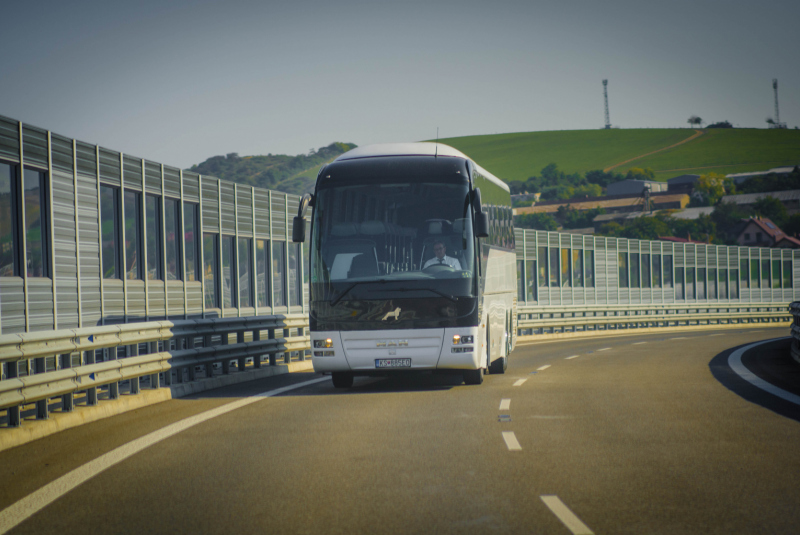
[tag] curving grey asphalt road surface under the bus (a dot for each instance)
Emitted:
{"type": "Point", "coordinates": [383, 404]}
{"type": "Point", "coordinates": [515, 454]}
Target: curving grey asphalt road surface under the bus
{"type": "Point", "coordinates": [652, 435]}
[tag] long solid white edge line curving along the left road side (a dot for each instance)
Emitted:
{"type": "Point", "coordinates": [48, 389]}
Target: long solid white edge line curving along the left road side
{"type": "Point", "coordinates": [15, 514]}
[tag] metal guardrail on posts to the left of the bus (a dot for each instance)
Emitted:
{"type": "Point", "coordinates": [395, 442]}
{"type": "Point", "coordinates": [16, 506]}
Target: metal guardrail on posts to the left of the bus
{"type": "Point", "coordinates": [159, 352]}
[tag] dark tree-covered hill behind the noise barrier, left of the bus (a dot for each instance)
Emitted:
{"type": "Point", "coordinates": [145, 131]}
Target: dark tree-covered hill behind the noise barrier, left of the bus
{"type": "Point", "coordinates": [291, 174]}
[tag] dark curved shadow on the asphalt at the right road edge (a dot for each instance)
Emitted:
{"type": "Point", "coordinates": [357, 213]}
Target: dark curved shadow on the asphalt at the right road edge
{"type": "Point", "coordinates": [772, 363]}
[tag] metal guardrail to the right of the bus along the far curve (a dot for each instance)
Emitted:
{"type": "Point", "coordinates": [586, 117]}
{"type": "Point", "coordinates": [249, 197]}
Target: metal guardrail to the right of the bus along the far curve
{"type": "Point", "coordinates": [545, 320]}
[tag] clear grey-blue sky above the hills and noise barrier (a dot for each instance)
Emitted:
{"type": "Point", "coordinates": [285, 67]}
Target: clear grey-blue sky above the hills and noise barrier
{"type": "Point", "coordinates": [178, 82]}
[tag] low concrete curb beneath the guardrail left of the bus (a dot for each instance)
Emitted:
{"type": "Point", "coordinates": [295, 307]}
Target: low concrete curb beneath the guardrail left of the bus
{"type": "Point", "coordinates": [31, 430]}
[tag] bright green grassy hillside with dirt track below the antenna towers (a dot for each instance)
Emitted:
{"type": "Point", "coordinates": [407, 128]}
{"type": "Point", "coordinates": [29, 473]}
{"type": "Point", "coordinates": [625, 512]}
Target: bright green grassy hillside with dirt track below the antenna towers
{"type": "Point", "coordinates": [518, 156]}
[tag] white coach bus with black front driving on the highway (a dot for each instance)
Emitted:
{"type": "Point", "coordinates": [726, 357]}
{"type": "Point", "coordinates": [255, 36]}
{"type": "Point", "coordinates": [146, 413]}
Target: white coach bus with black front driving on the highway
{"type": "Point", "coordinates": [412, 264]}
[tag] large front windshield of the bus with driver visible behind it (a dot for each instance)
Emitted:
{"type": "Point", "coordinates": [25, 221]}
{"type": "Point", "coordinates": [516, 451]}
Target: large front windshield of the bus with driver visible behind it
{"type": "Point", "coordinates": [417, 234]}
